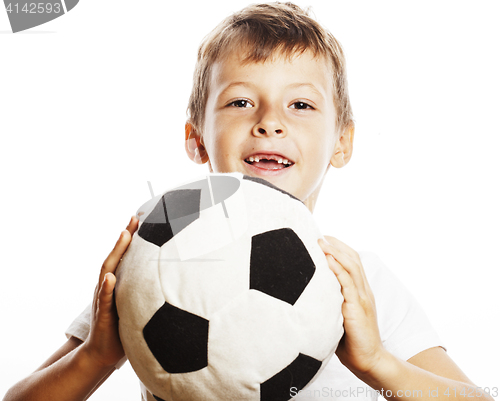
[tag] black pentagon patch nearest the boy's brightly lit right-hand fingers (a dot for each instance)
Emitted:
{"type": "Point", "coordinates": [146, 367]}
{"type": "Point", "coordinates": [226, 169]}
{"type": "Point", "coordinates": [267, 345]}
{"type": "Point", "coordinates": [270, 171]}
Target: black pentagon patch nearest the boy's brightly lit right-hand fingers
{"type": "Point", "coordinates": [280, 265]}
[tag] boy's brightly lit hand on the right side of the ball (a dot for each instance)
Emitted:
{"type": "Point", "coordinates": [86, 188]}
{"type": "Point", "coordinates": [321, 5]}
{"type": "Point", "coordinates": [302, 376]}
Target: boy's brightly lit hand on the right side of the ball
{"type": "Point", "coordinates": [360, 349]}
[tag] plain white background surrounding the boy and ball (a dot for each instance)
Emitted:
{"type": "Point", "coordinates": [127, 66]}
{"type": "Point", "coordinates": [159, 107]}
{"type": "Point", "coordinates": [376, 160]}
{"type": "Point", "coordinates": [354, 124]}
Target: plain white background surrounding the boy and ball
{"type": "Point", "coordinates": [92, 106]}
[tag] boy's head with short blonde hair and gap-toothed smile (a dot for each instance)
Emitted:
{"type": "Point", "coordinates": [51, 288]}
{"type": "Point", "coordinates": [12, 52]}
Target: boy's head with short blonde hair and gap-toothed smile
{"type": "Point", "coordinates": [267, 73]}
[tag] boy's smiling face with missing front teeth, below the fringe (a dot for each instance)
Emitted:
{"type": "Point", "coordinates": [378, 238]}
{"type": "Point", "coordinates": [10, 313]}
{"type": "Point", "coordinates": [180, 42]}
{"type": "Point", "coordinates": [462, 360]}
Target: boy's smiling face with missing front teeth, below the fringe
{"type": "Point", "coordinates": [274, 120]}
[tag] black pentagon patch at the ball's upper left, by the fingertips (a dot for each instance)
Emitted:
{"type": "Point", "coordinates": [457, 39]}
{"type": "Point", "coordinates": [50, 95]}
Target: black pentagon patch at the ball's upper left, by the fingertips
{"type": "Point", "coordinates": [174, 212]}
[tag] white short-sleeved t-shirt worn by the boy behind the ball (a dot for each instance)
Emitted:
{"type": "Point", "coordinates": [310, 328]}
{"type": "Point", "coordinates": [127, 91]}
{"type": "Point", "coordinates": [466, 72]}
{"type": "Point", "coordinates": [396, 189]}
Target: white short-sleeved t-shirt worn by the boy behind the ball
{"type": "Point", "coordinates": [404, 329]}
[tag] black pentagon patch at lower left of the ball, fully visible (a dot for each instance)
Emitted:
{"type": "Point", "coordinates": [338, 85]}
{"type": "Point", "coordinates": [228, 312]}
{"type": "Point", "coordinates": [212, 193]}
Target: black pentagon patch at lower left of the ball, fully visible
{"type": "Point", "coordinates": [177, 339]}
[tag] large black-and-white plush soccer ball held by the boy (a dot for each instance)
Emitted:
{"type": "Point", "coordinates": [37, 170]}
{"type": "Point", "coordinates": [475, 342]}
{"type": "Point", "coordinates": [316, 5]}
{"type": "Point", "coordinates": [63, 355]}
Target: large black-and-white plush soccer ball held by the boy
{"type": "Point", "coordinates": [225, 294]}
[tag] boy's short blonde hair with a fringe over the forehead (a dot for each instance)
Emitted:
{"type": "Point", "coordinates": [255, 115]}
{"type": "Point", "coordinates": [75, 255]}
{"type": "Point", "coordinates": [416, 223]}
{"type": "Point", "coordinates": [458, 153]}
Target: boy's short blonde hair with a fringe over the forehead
{"type": "Point", "coordinates": [261, 30]}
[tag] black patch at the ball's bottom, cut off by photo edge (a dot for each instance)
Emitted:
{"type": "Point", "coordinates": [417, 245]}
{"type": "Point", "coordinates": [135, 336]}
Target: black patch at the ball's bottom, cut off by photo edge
{"type": "Point", "coordinates": [291, 379]}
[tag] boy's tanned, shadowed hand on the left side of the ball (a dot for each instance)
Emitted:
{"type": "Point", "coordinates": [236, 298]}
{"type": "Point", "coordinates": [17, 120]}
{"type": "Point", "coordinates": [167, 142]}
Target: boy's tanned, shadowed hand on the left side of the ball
{"type": "Point", "coordinates": [103, 344]}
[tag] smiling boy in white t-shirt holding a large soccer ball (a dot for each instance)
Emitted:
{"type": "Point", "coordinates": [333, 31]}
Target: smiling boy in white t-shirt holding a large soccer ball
{"type": "Point", "coordinates": [270, 100]}
